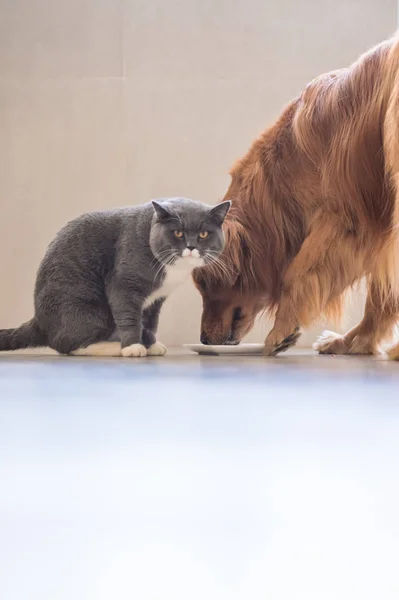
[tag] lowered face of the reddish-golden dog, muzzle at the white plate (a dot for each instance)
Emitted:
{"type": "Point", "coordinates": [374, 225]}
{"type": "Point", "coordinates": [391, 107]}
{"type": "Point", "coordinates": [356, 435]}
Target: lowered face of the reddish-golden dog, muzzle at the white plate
{"type": "Point", "coordinates": [228, 314]}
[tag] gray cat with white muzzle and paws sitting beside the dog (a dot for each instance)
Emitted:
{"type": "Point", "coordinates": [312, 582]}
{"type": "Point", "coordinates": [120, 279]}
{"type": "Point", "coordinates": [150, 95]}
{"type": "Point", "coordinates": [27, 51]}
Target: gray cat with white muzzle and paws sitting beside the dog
{"type": "Point", "coordinates": [105, 276]}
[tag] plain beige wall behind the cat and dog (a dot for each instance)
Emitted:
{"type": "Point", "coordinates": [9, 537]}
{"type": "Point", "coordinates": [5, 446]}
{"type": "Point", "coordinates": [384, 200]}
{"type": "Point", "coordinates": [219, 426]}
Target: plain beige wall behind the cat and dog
{"type": "Point", "coordinates": [112, 102]}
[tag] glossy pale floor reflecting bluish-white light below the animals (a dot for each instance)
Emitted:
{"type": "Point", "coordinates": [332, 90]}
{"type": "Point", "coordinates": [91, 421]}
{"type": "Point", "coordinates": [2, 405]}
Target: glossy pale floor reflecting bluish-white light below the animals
{"type": "Point", "coordinates": [199, 478]}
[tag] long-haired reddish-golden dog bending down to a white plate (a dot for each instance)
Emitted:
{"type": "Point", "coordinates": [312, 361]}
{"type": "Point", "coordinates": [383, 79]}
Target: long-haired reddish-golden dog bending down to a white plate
{"type": "Point", "coordinates": [315, 209]}
